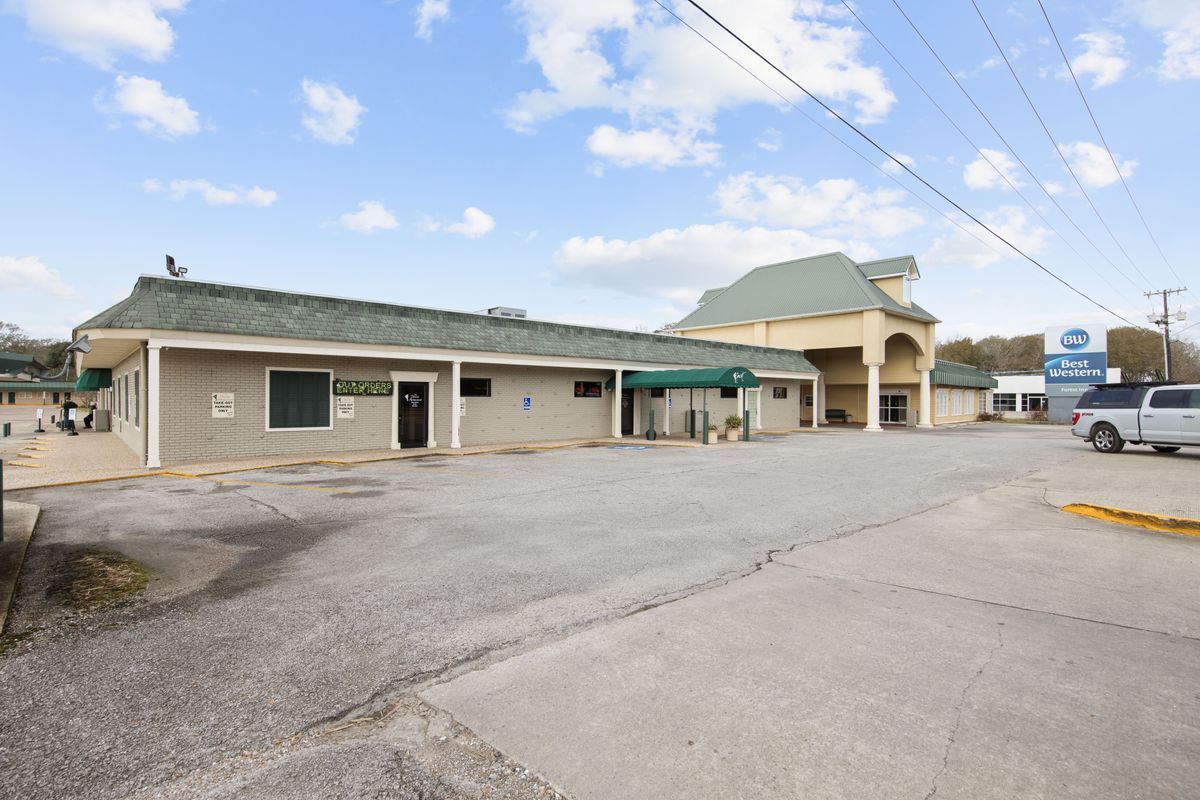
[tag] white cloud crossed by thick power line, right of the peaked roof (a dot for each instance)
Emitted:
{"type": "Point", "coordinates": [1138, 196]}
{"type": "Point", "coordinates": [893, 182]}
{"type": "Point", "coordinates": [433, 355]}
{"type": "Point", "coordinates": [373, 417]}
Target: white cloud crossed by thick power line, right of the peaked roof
{"type": "Point", "coordinates": [961, 249]}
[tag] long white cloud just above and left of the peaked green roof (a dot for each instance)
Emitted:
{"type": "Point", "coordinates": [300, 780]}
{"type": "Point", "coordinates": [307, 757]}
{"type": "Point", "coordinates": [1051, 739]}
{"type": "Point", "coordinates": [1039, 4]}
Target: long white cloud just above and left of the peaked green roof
{"type": "Point", "coordinates": [679, 264]}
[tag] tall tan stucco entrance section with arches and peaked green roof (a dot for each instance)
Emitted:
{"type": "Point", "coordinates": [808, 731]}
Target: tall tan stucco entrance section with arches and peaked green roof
{"type": "Point", "coordinates": [859, 326]}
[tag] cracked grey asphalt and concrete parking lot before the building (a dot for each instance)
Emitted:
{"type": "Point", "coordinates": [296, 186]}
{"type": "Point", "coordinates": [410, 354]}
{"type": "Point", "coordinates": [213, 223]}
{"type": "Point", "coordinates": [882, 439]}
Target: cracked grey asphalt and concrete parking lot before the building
{"type": "Point", "coordinates": [607, 621]}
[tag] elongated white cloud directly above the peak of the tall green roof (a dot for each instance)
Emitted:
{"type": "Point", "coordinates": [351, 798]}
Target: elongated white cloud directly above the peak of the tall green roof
{"type": "Point", "coordinates": [832, 207]}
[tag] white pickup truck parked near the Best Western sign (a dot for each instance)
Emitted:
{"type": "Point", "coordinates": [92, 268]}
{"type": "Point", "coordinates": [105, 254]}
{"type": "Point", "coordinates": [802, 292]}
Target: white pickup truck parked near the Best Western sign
{"type": "Point", "coordinates": [1166, 417]}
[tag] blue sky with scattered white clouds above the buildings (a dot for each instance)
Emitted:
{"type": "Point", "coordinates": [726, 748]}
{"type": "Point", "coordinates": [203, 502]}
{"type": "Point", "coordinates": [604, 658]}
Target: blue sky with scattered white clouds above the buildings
{"type": "Point", "coordinates": [596, 163]}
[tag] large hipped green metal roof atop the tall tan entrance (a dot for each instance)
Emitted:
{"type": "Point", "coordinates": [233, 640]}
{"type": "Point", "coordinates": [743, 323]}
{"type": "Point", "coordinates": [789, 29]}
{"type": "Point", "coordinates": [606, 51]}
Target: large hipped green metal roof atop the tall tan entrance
{"type": "Point", "coordinates": [807, 287]}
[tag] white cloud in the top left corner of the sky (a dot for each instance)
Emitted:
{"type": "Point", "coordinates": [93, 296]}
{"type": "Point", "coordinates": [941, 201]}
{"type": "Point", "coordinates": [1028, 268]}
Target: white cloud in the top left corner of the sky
{"type": "Point", "coordinates": [98, 31]}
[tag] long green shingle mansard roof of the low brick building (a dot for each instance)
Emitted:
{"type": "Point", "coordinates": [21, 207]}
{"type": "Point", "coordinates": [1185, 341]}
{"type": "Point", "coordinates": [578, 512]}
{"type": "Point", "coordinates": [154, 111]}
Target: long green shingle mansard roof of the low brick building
{"type": "Point", "coordinates": [167, 304]}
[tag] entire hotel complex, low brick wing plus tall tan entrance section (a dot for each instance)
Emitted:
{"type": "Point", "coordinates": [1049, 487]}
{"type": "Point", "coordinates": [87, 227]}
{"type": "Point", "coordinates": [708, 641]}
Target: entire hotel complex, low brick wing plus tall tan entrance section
{"type": "Point", "coordinates": [195, 371]}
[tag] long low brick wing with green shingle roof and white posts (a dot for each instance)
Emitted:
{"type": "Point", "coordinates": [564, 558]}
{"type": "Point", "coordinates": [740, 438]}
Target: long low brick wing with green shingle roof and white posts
{"type": "Point", "coordinates": [197, 371]}
